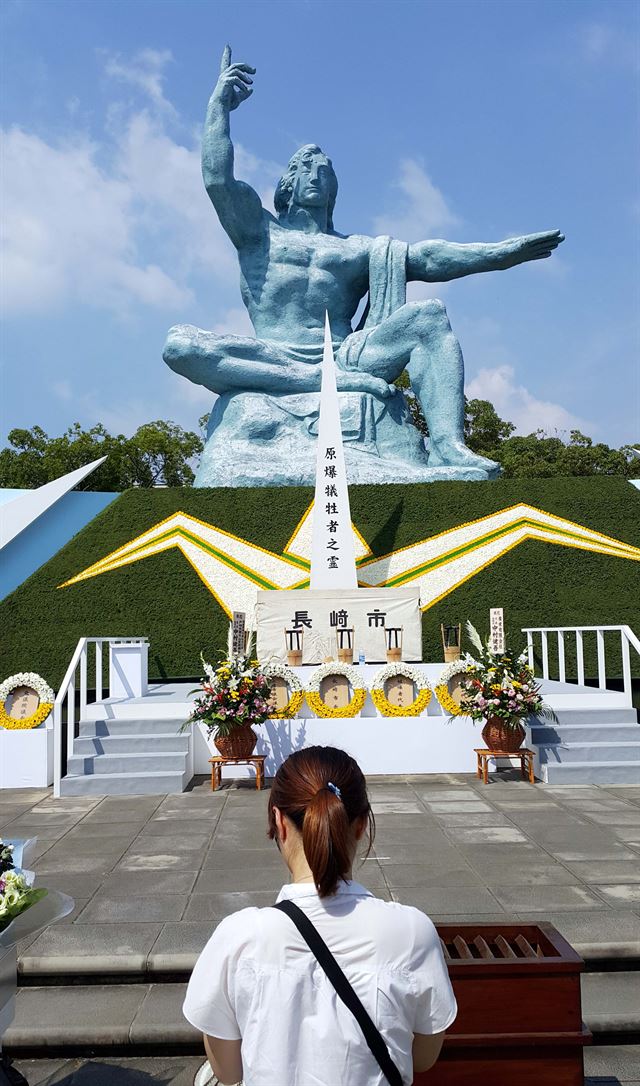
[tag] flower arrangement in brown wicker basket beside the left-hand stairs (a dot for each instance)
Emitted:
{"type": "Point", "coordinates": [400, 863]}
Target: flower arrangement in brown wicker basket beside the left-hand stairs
{"type": "Point", "coordinates": [233, 697]}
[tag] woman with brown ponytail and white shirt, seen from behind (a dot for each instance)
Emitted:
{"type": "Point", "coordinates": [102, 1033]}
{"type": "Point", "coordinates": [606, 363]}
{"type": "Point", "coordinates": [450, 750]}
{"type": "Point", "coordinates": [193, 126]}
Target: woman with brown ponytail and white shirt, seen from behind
{"type": "Point", "coordinates": [333, 987]}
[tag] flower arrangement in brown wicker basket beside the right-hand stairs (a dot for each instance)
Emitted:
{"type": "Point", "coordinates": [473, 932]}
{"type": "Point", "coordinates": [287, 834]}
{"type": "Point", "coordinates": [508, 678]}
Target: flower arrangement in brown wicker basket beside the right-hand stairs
{"type": "Point", "coordinates": [500, 689]}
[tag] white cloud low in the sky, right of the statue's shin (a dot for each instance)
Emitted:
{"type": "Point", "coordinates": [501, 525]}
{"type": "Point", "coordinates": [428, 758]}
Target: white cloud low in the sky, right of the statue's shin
{"type": "Point", "coordinates": [517, 405]}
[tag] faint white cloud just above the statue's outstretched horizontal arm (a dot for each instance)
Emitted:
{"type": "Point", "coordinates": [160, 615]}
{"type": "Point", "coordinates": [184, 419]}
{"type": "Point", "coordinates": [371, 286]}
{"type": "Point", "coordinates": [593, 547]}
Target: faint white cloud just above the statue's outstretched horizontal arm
{"type": "Point", "coordinates": [423, 210]}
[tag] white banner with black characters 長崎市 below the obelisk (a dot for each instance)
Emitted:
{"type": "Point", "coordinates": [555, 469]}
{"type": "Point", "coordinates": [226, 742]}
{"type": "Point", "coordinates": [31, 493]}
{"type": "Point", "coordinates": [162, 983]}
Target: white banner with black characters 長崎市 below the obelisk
{"type": "Point", "coordinates": [320, 615]}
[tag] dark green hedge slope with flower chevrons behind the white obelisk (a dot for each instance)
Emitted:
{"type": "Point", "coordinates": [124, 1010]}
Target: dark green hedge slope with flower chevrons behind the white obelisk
{"type": "Point", "coordinates": [161, 598]}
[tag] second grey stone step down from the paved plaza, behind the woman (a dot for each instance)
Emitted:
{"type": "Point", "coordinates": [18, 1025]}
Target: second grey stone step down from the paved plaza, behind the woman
{"type": "Point", "coordinates": [152, 1014]}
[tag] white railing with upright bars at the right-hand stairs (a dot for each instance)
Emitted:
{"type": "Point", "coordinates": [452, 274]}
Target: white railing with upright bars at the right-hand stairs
{"type": "Point", "coordinates": [629, 641]}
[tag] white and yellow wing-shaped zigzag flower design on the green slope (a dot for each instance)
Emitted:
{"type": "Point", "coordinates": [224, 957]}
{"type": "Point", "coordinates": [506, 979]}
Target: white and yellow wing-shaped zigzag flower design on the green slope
{"type": "Point", "coordinates": [234, 570]}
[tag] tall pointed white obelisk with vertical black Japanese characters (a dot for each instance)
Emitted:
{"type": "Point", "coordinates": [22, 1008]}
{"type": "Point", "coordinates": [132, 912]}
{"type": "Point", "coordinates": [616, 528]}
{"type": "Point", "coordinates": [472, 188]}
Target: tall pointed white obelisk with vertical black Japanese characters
{"type": "Point", "coordinates": [333, 553]}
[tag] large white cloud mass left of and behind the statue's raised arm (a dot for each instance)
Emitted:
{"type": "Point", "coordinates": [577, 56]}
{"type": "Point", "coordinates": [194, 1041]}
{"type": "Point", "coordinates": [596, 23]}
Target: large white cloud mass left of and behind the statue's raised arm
{"type": "Point", "coordinates": [119, 222]}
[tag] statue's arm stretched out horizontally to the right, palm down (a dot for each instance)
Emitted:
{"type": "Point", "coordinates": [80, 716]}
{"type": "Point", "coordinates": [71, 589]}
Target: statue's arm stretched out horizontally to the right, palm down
{"type": "Point", "coordinates": [441, 261]}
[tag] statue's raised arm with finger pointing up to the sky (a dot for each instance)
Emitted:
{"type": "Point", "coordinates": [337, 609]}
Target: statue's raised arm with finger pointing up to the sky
{"type": "Point", "coordinates": [237, 205]}
